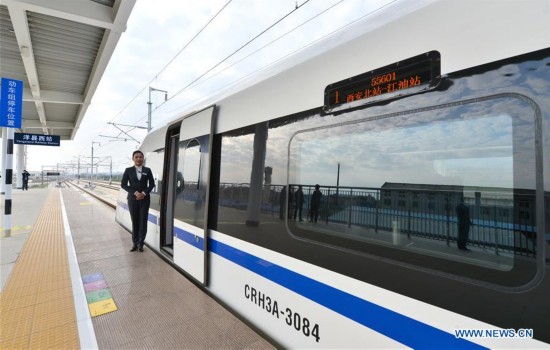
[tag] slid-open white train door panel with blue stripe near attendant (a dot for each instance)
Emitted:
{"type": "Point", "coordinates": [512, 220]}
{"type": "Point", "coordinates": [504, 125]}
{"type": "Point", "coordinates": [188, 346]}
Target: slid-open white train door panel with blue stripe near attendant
{"type": "Point", "coordinates": [192, 189]}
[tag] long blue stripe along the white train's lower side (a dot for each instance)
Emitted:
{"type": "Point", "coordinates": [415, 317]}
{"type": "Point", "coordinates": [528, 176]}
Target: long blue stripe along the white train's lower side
{"type": "Point", "coordinates": [401, 328]}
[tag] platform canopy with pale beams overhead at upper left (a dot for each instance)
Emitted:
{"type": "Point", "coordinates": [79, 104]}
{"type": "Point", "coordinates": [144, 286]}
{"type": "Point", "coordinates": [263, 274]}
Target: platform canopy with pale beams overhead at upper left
{"type": "Point", "coordinates": [59, 49]}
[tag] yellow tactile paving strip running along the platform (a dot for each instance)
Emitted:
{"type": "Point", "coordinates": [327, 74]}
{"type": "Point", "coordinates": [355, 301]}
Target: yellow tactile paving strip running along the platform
{"type": "Point", "coordinates": [36, 306]}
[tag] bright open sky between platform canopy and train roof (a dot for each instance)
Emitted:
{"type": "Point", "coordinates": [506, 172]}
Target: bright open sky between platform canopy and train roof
{"type": "Point", "coordinates": [158, 49]}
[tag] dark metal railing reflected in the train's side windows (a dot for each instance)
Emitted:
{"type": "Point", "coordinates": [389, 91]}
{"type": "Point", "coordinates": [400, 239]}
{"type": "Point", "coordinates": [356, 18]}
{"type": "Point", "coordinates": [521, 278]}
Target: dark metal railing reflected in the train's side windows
{"type": "Point", "coordinates": [499, 220]}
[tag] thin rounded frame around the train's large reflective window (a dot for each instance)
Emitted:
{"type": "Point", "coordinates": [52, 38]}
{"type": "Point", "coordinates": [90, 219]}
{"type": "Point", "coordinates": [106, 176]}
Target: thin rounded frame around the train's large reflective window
{"type": "Point", "coordinates": [537, 265]}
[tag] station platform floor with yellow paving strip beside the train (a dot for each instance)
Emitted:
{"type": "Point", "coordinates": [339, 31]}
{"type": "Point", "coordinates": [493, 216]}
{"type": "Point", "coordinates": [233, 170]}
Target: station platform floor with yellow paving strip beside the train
{"type": "Point", "coordinates": [69, 281]}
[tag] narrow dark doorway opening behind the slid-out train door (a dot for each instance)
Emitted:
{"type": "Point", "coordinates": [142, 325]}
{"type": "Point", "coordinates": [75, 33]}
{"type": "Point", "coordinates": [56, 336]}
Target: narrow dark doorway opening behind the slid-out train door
{"type": "Point", "coordinates": [170, 190]}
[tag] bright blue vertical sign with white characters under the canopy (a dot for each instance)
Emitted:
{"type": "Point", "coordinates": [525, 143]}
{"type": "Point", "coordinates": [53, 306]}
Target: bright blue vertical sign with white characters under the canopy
{"type": "Point", "coordinates": [11, 103]}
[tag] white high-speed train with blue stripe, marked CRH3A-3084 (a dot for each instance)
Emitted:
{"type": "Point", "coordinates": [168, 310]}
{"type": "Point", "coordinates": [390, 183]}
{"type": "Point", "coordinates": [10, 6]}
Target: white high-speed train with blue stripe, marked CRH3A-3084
{"type": "Point", "coordinates": [325, 198]}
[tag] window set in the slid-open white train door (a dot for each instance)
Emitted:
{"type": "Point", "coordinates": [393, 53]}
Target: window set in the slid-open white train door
{"type": "Point", "coordinates": [191, 191]}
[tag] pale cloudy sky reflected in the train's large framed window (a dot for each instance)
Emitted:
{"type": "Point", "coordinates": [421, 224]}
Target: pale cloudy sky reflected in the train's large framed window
{"type": "Point", "coordinates": [442, 153]}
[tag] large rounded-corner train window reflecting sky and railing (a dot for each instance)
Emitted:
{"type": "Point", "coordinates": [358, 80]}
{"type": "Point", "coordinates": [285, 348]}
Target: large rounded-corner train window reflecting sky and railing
{"type": "Point", "coordinates": [474, 153]}
